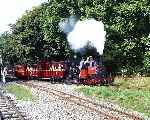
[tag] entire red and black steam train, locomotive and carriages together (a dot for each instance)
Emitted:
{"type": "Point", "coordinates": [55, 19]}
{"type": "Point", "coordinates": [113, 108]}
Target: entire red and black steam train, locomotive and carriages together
{"type": "Point", "coordinates": [64, 71]}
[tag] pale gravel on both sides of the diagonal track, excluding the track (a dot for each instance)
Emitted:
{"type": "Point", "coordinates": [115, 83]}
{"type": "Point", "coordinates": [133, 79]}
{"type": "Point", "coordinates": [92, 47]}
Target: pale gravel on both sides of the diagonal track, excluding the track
{"type": "Point", "coordinates": [51, 107]}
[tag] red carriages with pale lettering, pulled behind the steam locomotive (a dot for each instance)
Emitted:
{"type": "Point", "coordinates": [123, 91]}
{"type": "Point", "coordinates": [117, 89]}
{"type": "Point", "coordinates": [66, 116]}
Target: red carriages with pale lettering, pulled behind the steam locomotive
{"type": "Point", "coordinates": [41, 70]}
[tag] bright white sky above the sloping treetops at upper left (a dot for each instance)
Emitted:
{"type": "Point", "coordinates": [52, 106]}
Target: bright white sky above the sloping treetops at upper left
{"type": "Point", "coordinates": [11, 10]}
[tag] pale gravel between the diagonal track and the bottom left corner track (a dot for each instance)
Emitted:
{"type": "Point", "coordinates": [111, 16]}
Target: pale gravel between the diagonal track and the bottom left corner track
{"type": "Point", "coordinates": [54, 108]}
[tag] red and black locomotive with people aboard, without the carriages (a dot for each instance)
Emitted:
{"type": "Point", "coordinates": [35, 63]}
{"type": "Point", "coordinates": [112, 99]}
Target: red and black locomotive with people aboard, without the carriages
{"type": "Point", "coordinates": [91, 73]}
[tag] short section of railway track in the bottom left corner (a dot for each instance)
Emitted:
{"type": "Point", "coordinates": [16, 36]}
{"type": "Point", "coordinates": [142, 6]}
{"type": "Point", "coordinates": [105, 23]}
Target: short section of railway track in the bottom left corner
{"type": "Point", "coordinates": [8, 110]}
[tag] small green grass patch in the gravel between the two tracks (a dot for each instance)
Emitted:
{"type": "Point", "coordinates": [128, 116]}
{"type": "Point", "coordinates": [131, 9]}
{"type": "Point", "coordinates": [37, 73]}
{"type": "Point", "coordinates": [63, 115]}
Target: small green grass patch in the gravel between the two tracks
{"type": "Point", "coordinates": [21, 92]}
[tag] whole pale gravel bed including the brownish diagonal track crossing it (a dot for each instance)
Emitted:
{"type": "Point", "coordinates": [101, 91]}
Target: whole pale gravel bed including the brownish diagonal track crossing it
{"type": "Point", "coordinates": [48, 101]}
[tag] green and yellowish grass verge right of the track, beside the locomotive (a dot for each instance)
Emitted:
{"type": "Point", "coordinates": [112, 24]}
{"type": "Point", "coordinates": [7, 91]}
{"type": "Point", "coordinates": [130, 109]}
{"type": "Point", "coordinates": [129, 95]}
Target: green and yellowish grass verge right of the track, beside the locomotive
{"type": "Point", "coordinates": [129, 93]}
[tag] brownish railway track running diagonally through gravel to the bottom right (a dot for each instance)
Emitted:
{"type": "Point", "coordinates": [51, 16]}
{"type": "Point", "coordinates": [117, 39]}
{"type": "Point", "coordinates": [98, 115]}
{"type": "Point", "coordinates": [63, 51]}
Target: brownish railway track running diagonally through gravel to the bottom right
{"type": "Point", "coordinates": [111, 113]}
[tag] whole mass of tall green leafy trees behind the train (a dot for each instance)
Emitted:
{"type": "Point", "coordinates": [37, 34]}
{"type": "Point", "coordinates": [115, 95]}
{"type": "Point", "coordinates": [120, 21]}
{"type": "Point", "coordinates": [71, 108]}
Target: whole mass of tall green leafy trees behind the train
{"type": "Point", "coordinates": [37, 35]}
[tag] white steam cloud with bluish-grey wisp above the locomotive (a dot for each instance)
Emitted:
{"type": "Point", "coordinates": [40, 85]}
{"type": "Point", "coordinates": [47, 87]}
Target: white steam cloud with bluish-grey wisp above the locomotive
{"type": "Point", "coordinates": [82, 32]}
